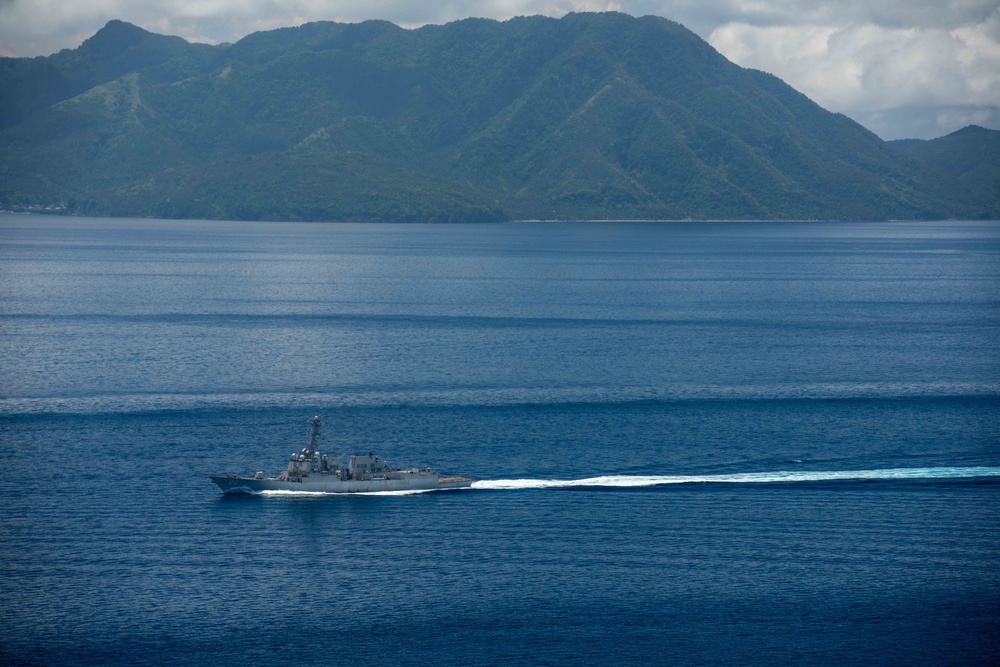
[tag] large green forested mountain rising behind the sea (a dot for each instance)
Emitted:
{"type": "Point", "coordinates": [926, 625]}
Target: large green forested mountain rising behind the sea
{"type": "Point", "coordinates": [590, 116]}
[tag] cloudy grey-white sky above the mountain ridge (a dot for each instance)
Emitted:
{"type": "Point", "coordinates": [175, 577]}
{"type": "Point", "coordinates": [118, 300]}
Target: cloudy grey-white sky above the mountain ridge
{"type": "Point", "coordinates": [902, 68]}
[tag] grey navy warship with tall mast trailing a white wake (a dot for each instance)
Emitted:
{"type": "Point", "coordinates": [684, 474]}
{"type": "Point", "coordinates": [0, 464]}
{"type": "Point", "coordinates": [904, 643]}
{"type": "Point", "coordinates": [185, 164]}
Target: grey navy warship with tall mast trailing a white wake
{"type": "Point", "coordinates": [309, 470]}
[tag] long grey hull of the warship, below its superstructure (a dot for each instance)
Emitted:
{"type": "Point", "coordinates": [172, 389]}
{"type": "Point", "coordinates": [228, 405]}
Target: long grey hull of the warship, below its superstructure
{"type": "Point", "coordinates": [233, 484]}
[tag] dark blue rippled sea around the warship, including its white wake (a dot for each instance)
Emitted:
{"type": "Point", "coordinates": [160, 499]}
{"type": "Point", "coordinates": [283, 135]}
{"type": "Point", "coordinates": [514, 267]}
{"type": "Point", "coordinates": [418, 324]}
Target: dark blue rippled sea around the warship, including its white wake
{"type": "Point", "coordinates": [694, 444]}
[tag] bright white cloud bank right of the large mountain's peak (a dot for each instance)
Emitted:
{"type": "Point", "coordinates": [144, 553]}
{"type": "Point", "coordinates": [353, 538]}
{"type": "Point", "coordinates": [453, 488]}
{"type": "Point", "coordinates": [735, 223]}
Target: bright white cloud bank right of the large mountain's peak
{"type": "Point", "coordinates": [865, 69]}
